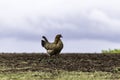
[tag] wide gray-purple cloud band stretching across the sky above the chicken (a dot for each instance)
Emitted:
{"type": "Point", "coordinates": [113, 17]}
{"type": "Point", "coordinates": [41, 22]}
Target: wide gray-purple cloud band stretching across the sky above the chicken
{"type": "Point", "coordinates": [72, 28]}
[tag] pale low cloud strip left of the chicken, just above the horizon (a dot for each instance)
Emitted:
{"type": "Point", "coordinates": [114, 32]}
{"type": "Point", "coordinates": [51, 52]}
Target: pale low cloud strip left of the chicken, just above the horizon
{"type": "Point", "coordinates": [12, 45]}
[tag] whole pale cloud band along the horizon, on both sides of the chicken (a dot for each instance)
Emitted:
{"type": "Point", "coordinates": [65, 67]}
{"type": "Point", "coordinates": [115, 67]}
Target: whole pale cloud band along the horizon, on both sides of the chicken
{"type": "Point", "coordinates": [71, 46]}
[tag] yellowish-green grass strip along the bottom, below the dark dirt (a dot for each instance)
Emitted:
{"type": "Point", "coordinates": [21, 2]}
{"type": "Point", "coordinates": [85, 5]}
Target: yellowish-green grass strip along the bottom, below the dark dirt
{"type": "Point", "coordinates": [59, 75]}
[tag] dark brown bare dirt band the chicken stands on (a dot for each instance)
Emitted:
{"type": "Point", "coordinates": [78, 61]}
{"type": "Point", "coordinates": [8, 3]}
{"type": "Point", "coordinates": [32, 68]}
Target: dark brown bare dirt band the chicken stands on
{"type": "Point", "coordinates": [69, 62]}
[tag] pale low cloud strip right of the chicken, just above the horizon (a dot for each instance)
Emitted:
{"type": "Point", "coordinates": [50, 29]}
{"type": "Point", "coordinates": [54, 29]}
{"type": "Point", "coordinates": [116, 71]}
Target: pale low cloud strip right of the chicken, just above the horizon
{"type": "Point", "coordinates": [89, 46]}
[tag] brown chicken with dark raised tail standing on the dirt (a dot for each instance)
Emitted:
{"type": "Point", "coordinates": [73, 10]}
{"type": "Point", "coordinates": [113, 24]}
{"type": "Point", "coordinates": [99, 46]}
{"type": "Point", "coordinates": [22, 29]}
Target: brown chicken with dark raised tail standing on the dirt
{"type": "Point", "coordinates": [53, 48]}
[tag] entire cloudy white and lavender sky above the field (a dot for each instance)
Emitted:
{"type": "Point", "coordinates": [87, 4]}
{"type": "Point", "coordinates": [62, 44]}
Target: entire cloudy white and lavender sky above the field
{"type": "Point", "coordinates": [86, 25]}
